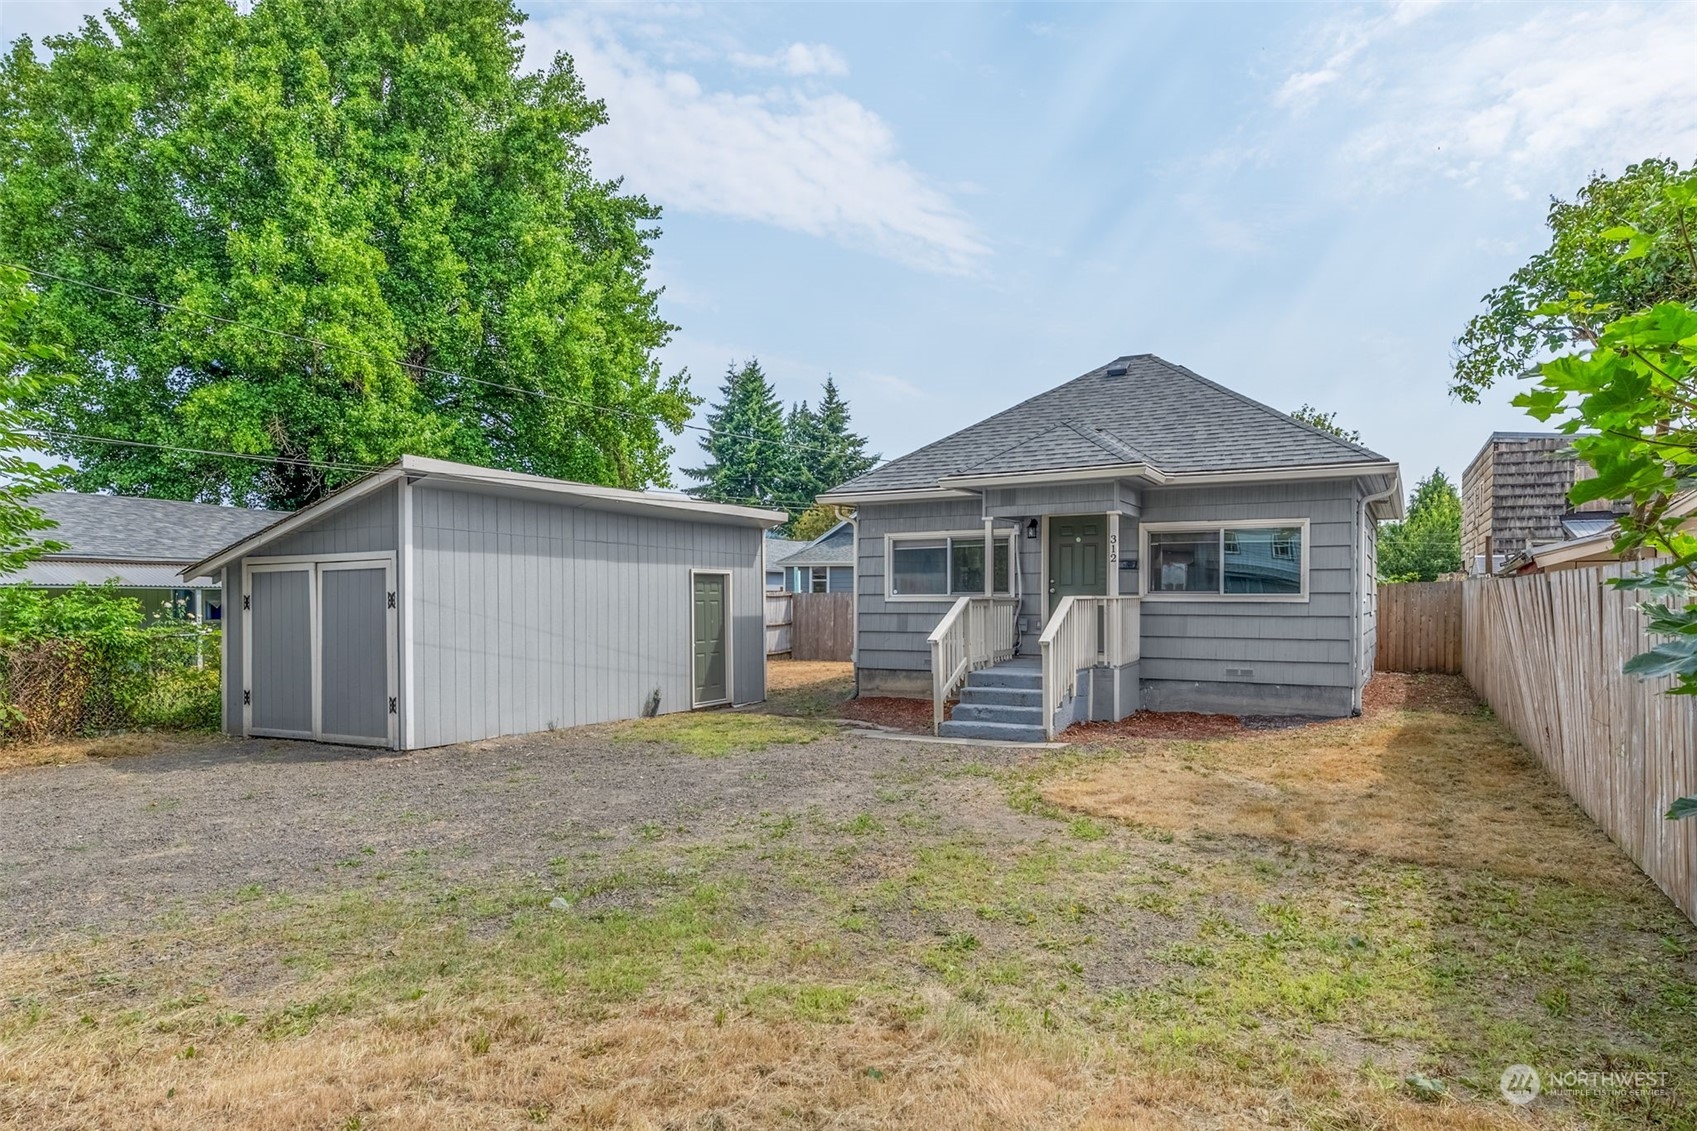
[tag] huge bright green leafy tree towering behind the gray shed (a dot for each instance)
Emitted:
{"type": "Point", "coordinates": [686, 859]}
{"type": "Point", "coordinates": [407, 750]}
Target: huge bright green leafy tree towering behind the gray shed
{"type": "Point", "coordinates": [328, 234]}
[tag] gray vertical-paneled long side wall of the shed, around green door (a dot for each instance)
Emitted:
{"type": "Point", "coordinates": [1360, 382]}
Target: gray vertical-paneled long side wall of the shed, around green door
{"type": "Point", "coordinates": [532, 616]}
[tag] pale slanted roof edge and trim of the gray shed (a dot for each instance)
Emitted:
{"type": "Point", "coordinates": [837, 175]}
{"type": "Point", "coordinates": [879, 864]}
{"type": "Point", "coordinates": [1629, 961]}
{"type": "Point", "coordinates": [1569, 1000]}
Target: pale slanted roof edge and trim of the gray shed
{"type": "Point", "coordinates": [495, 481]}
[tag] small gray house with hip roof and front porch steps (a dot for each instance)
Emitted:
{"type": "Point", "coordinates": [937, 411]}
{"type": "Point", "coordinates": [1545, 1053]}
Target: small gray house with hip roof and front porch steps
{"type": "Point", "coordinates": [1140, 537]}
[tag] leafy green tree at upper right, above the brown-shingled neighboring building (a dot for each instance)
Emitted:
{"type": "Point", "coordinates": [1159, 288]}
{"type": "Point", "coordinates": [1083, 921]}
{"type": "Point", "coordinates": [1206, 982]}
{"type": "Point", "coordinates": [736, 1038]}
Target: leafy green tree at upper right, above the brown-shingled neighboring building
{"type": "Point", "coordinates": [1526, 318]}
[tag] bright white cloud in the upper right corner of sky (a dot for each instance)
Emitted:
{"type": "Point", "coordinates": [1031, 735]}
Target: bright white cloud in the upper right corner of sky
{"type": "Point", "coordinates": [1557, 93]}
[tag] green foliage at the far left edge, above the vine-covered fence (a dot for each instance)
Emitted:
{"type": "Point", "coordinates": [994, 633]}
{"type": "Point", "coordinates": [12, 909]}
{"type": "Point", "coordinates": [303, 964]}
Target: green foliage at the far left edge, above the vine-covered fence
{"type": "Point", "coordinates": [26, 373]}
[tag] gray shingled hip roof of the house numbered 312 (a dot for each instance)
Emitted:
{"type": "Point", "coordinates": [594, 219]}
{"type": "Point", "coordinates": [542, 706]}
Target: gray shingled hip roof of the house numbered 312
{"type": "Point", "coordinates": [1133, 412]}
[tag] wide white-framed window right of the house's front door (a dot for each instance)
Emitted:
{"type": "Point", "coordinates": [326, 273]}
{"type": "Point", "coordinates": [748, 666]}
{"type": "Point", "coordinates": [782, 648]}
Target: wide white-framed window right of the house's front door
{"type": "Point", "coordinates": [1231, 560]}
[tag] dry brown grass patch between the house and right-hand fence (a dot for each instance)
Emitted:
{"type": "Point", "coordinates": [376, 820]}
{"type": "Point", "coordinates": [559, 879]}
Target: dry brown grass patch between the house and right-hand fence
{"type": "Point", "coordinates": [1443, 785]}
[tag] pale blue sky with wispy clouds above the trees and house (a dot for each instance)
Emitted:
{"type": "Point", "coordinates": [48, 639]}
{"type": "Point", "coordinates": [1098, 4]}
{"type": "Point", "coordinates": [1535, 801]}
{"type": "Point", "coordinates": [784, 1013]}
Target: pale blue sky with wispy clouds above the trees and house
{"type": "Point", "coordinates": [953, 208]}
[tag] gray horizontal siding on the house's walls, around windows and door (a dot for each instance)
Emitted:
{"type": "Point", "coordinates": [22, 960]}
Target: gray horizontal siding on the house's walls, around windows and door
{"type": "Point", "coordinates": [1207, 655]}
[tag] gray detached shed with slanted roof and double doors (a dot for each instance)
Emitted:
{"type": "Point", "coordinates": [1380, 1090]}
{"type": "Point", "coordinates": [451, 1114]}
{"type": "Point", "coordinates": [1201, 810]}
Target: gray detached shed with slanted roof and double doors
{"type": "Point", "coordinates": [439, 602]}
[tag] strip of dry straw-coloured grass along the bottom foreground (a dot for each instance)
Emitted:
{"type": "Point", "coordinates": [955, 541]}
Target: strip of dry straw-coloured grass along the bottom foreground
{"type": "Point", "coordinates": [659, 1066]}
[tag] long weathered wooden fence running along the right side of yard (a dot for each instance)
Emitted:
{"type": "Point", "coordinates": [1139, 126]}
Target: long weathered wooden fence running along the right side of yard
{"type": "Point", "coordinates": [1545, 651]}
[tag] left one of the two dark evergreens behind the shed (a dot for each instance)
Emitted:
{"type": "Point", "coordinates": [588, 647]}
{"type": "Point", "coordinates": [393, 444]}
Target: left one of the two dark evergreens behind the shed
{"type": "Point", "coordinates": [749, 458]}
